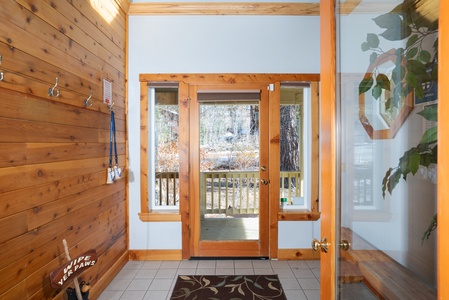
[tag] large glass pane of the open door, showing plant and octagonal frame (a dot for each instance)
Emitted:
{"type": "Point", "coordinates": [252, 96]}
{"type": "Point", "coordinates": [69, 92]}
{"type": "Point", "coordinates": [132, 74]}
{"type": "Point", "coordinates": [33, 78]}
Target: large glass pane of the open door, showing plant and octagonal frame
{"type": "Point", "coordinates": [386, 100]}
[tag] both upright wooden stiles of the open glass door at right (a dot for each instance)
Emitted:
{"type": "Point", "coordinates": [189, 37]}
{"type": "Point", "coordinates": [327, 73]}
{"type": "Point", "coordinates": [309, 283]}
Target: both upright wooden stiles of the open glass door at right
{"type": "Point", "coordinates": [328, 150]}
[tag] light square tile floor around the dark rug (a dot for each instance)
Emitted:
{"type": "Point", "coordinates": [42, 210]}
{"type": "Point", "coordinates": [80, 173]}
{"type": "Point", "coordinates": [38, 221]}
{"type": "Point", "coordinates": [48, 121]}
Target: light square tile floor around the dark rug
{"type": "Point", "coordinates": [154, 280]}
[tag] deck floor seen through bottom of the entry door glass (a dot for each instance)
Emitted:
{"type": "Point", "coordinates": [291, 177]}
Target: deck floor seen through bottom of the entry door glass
{"type": "Point", "coordinates": [230, 229]}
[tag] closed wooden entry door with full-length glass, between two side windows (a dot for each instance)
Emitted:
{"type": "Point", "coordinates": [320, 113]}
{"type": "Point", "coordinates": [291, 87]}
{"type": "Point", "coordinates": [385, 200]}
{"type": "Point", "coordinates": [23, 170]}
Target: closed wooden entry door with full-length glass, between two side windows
{"type": "Point", "coordinates": [233, 171]}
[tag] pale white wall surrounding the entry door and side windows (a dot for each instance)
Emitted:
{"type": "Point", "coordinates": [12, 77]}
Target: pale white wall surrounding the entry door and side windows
{"type": "Point", "coordinates": [211, 44]}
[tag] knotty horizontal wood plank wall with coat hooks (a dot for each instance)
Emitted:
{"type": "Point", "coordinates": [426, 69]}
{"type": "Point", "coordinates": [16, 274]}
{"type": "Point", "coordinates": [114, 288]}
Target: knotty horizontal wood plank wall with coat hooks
{"type": "Point", "coordinates": [54, 151]}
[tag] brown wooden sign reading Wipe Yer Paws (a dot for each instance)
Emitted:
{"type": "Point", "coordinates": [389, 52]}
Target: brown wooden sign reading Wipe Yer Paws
{"type": "Point", "coordinates": [72, 268]}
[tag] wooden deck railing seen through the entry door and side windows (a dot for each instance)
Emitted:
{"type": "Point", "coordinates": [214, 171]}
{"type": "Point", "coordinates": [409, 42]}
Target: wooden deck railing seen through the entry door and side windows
{"type": "Point", "coordinates": [230, 193]}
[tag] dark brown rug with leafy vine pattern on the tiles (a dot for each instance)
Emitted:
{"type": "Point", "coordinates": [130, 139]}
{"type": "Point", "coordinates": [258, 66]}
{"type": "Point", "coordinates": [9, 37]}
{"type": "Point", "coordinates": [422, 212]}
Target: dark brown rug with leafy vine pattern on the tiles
{"type": "Point", "coordinates": [236, 287]}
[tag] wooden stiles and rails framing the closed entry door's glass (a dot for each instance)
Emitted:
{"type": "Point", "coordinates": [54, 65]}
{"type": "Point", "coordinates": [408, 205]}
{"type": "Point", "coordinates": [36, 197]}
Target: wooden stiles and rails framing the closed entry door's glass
{"type": "Point", "coordinates": [226, 248]}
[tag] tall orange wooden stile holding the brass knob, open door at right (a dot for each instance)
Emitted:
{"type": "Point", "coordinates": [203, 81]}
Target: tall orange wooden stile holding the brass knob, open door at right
{"type": "Point", "coordinates": [328, 145]}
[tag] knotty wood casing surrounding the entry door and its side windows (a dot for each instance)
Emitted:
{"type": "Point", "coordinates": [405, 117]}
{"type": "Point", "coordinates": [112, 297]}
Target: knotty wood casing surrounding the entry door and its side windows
{"type": "Point", "coordinates": [186, 213]}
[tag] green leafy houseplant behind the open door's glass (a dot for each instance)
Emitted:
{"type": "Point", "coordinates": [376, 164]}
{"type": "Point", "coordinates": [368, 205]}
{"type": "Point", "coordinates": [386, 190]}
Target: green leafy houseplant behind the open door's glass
{"type": "Point", "coordinates": [415, 65]}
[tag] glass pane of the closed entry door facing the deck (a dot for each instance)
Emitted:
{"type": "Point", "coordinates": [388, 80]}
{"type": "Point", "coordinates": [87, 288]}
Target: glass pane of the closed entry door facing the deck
{"type": "Point", "coordinates": [229, 166]}
